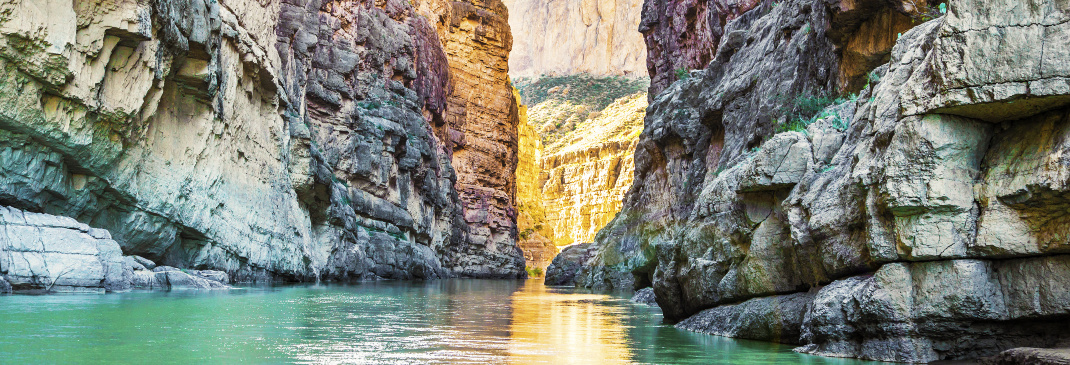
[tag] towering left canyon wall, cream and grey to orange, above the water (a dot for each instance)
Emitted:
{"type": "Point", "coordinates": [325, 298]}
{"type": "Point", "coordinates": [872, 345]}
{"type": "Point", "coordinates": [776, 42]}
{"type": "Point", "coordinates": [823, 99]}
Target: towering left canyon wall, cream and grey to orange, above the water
{"type": "Point", "coordinates": [271, 141]}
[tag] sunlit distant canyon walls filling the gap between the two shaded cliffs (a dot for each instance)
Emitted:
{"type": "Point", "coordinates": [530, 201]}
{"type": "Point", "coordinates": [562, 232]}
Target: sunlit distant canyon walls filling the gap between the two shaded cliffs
{"type": "Point", "coordinates": [580, 73]}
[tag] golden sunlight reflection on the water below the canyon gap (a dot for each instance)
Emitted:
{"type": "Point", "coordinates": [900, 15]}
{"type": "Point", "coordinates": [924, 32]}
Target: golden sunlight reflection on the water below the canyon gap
{"type": "Point", "coordinates": [555, 328]}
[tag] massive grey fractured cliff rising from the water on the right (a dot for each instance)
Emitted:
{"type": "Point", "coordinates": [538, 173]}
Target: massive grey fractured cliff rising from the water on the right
{"type": "Point", "coordinates": [913, 222]}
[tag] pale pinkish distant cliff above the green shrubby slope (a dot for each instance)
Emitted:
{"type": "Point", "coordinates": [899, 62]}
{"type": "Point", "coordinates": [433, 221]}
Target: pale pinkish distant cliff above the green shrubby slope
{"type": "Point", "coordinates": [567, 38]}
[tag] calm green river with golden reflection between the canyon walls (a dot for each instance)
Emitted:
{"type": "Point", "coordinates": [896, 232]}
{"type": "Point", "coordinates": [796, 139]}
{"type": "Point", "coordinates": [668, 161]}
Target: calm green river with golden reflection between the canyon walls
{"type": "Point", "coordinates": [448, 322]}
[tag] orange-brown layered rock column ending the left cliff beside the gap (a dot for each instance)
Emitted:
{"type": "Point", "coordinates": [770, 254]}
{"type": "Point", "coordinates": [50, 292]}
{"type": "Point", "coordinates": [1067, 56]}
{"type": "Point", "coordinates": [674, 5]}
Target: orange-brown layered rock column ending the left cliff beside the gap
{"type": "Point", "coordinates": [481, 126]}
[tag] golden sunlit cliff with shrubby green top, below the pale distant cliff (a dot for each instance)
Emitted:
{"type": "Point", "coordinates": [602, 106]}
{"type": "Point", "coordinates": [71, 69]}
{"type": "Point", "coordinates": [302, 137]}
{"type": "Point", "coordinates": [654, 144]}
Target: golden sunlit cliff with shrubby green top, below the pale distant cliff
{"type": "Point", "coordinates": [591, 126]}
